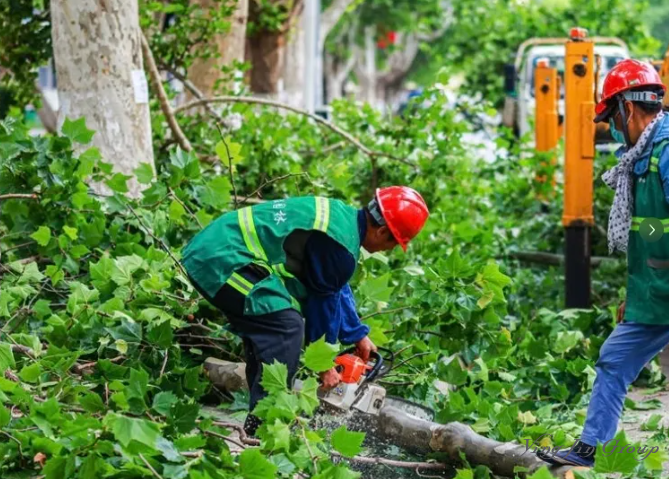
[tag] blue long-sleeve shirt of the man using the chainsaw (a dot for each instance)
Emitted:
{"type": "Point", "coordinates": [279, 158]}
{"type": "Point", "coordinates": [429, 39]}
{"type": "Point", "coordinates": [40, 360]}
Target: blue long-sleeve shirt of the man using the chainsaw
{"type": "Point", "coordinates": [330, 307]}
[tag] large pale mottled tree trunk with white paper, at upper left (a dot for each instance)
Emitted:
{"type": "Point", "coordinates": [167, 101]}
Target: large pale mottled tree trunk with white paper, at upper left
{"type": "Point", "coordinates": [98, 57]}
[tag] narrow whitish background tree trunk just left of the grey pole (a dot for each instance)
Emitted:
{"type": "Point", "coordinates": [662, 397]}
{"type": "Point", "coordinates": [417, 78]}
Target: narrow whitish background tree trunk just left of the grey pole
{"type": "Point", "coordinates": [293, 66]}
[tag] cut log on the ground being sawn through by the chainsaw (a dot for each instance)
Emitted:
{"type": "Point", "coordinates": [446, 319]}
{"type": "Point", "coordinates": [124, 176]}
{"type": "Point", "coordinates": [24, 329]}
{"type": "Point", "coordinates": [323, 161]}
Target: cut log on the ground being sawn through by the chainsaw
{"type": "Point", "coordinates": [417, 435]}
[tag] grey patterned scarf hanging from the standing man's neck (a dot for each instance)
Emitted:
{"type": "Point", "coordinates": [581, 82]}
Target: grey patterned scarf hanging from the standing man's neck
{"type": "Point", "coordinates": [620, 178]}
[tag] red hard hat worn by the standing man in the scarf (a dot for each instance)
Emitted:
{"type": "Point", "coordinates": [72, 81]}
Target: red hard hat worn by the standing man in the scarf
{"type": "Point", "coordinates": [626, 75]}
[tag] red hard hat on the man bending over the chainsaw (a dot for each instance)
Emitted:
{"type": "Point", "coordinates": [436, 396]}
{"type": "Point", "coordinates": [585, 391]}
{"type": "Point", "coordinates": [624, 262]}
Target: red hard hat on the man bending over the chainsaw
{"type": "Point", "coordinates": [404, 210]}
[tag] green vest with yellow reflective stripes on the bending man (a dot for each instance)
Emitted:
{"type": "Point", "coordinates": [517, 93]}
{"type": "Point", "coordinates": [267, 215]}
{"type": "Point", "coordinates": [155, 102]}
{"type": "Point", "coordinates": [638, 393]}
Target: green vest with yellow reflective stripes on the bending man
{"type": "Point", "coordinates": [259, 235]}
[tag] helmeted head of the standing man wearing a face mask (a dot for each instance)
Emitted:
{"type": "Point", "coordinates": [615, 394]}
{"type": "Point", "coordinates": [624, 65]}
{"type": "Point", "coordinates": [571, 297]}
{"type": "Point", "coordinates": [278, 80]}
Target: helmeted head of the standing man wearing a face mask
{"type": "Point", "coordinates": [631, 97]}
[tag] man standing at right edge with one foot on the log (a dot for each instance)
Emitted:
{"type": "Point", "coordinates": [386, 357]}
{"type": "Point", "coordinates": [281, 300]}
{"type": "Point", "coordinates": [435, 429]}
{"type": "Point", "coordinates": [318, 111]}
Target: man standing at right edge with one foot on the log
{"type": "Point", "coordinates": [639, 225]}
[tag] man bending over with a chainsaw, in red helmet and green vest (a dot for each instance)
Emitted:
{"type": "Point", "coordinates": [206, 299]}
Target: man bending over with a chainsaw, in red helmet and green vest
{"type": "Point", "coordinates": [264, 264]}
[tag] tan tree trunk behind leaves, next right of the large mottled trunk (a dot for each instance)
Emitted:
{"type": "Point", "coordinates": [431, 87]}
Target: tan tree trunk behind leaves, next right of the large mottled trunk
{"type": "Point", "coordinates": [205, 73]}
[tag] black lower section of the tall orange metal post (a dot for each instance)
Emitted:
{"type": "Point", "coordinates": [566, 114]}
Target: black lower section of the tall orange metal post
{"type": "Point", "coordinates": [577, 266]}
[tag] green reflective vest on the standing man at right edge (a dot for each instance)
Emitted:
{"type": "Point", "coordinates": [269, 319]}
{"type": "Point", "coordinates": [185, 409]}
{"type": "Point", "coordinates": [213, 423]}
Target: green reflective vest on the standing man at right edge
{"type": "Point", "coordinates": [648, 263]}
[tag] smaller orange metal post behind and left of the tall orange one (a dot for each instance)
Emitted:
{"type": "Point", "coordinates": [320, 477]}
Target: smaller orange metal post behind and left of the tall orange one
{"type": "Point", "coordinates": [546, 92]}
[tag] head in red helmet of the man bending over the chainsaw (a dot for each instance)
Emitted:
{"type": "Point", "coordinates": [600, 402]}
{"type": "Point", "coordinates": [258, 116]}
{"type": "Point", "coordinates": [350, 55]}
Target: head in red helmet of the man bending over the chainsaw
{"type": "Point", "coordinates": [395, 216]}
